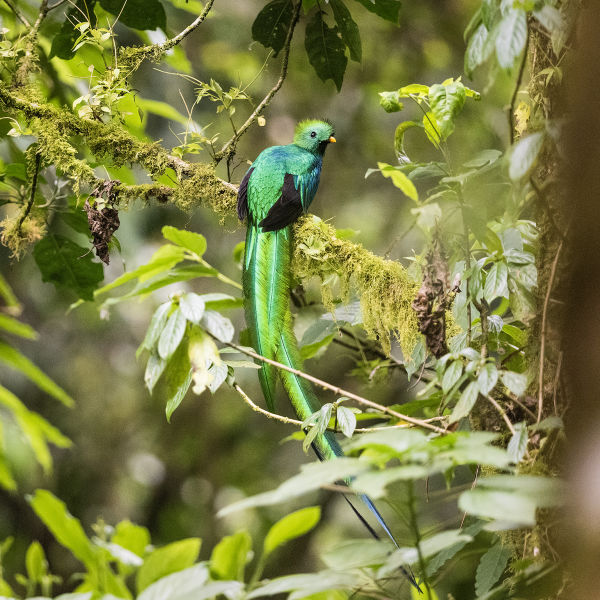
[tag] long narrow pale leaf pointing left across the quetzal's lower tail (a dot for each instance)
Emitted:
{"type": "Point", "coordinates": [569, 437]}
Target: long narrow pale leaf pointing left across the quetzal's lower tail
{"type": "Point", "coordinates": [311, 477]}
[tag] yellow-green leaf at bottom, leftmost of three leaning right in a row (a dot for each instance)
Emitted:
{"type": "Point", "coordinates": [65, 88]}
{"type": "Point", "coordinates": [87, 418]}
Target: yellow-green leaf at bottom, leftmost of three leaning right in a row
{"type": "Point", "coordinates": [166, 560]}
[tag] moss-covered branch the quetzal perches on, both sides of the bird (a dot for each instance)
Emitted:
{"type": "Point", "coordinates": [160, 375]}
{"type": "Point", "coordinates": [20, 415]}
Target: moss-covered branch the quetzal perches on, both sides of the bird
{"type": "Point", "coordinates": [384, 288]}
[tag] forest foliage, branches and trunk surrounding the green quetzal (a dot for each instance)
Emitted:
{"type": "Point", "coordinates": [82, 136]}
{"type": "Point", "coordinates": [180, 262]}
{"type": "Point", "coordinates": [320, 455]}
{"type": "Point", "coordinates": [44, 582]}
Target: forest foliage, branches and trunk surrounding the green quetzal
{"type": "Point", "coordinates": [475, 157]}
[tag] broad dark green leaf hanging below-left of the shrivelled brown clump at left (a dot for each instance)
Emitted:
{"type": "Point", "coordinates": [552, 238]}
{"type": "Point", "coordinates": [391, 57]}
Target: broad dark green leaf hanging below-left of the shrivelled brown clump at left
{"type": "Point", "coordinates": [67, 265]}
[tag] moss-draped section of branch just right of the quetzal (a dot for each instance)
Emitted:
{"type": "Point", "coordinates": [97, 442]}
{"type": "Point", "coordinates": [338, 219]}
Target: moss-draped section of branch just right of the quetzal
{"type": "Point", "coordinates": [385, 290]}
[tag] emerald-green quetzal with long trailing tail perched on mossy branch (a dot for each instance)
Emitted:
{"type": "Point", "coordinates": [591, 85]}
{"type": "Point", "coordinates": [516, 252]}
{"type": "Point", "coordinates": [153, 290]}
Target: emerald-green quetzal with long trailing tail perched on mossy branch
{"type": "Point", "coordinates": [278, 187]}
